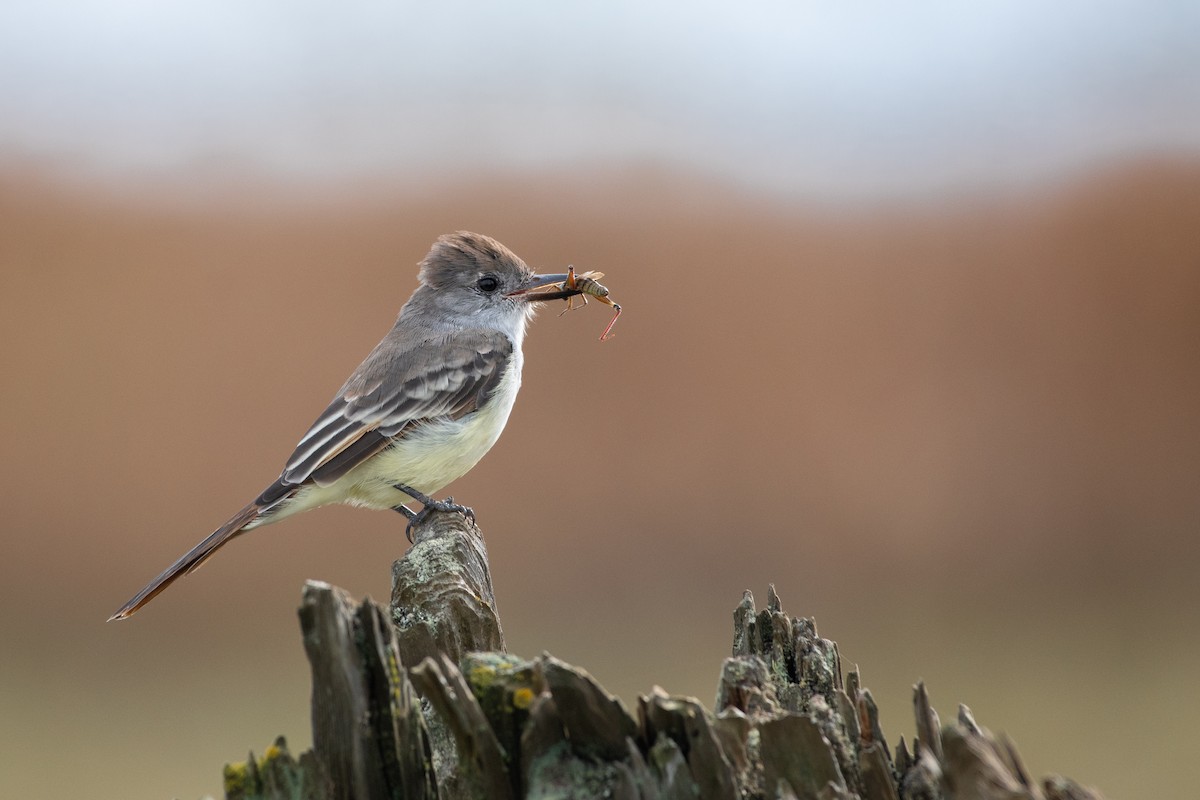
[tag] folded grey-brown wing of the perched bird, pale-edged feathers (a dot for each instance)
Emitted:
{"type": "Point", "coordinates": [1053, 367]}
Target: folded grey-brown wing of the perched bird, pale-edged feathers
{"type": "Point", "coordinates": [393, 389]}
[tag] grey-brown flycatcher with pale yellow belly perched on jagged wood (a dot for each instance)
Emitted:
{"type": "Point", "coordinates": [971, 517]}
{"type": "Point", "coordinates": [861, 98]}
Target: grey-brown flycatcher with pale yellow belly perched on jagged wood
{"type": "Point", "coordinates": [423, 408]}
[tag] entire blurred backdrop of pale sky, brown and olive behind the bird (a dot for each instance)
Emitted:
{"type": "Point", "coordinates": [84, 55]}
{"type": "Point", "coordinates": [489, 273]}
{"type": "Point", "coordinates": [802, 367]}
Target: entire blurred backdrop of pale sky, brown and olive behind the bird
{"type": "Point", "coordinates": [911, 330]}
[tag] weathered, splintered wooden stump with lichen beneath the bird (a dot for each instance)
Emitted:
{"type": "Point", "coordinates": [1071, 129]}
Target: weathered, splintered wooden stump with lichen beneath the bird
{"type": "Point", "coordinates": [787, 725]}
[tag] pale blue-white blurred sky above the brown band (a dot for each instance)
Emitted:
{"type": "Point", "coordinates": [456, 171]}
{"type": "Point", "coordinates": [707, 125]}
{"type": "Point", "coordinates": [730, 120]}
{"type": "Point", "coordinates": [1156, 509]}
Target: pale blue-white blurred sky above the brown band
{"type": "Point", "coordinates": [826, 101]}
